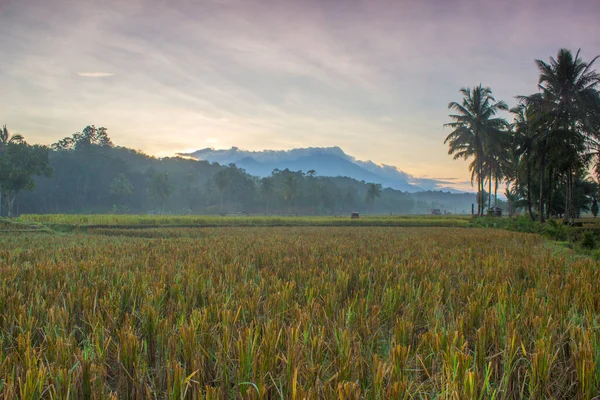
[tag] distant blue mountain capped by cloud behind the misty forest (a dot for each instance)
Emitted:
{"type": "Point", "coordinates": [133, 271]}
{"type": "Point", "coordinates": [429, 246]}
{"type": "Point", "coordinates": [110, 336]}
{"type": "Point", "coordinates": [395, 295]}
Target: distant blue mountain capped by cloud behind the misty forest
{"type": "Point", "coordinates": [326, 161]}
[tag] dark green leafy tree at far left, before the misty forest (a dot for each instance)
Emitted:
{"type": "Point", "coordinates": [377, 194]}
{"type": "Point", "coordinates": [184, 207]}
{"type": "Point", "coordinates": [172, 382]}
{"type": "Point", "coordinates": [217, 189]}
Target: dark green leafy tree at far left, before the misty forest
{"type": "Point", "coordinates": [19, 163]}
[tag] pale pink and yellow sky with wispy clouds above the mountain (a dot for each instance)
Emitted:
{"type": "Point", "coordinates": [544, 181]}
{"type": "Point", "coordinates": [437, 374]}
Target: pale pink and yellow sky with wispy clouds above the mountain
{"type": "Point", "coordinates": [373, 77]}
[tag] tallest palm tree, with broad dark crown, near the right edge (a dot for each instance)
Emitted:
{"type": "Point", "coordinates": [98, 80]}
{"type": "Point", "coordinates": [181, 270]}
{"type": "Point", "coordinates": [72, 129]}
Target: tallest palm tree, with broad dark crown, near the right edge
{"type": "Point", "coordinates": [569, 104]}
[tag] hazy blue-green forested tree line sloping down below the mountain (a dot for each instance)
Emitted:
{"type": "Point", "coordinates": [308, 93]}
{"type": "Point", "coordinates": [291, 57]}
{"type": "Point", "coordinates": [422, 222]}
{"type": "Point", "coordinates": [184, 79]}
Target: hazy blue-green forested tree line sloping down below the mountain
{"type": "Point", "coordinates": [87, 173]}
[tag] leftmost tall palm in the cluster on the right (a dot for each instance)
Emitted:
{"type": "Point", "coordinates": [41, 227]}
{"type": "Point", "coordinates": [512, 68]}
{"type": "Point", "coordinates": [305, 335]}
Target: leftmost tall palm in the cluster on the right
{"type": "Point", "coordinates": [473, 124]}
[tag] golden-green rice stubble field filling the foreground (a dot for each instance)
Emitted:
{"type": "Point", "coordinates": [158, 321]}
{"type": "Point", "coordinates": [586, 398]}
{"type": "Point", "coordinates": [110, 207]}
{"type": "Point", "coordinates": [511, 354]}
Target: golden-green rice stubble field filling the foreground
{"type": "Point", "coordinates": [296, 312]}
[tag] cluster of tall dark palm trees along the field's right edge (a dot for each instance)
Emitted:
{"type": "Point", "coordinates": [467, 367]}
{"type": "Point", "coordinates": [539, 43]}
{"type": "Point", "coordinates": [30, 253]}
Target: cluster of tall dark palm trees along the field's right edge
{"type": "Point", "coordinates": [546, 153]}
